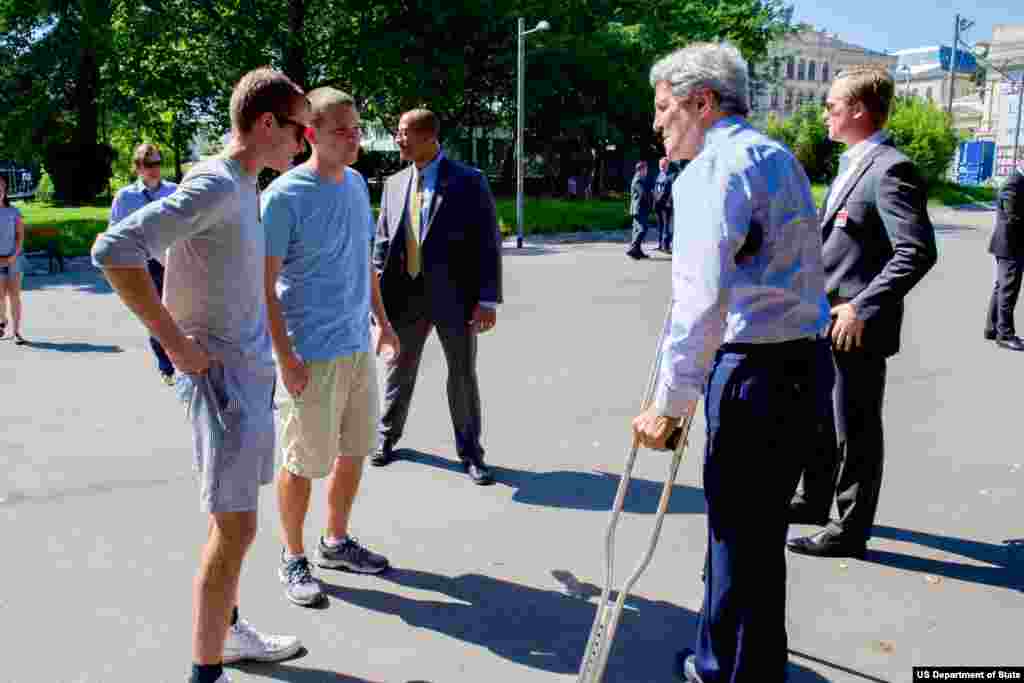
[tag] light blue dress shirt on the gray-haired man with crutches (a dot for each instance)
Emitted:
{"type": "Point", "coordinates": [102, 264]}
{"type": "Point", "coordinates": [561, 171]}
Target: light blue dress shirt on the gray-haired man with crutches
{"type": "Point", "coordinates": [776, 295]}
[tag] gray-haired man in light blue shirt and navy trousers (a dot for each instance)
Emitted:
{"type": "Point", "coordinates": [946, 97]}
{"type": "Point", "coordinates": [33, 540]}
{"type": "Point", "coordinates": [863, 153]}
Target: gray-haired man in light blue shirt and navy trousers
{"type": "Point", "coordinates": [748, 319]}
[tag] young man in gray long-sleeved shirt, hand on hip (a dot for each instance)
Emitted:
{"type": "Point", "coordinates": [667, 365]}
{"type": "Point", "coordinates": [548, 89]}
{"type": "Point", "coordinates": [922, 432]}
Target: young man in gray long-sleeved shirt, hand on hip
{"type": "Point", "coordinates": [214, 326]}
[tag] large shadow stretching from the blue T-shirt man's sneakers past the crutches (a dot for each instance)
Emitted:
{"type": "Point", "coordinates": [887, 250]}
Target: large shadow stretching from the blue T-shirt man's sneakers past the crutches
{"type": "Point", "coordinates": [540, 629]}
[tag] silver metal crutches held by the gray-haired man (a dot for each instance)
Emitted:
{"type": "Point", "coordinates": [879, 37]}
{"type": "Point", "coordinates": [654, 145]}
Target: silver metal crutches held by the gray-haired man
{"type": "Point", "coordinates": [595, 658]}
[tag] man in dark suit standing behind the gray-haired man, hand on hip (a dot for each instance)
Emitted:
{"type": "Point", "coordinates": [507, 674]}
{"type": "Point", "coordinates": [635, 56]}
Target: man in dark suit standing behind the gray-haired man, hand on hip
{"type": "Point", "coordinates": [878, 244]}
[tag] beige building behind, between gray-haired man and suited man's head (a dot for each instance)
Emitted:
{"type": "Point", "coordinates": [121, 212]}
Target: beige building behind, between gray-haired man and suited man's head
{"type": "Point", "coordinates": [801, 69]}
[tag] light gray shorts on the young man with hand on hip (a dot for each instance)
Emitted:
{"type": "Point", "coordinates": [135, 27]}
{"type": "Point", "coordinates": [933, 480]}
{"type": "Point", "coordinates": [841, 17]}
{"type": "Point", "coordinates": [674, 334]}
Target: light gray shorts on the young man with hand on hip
{"type": "Point", "coordinates": [233, 460]}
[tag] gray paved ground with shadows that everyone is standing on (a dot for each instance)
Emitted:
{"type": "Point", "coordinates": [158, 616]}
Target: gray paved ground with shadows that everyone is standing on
{"type": "Point", "coordinates": [100, 519]}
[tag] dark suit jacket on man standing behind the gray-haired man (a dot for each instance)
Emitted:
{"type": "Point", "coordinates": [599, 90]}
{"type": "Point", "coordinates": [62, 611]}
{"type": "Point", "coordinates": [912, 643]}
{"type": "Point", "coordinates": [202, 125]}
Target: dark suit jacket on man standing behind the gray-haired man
{"type": "Point", "coordinates": [886, 246]}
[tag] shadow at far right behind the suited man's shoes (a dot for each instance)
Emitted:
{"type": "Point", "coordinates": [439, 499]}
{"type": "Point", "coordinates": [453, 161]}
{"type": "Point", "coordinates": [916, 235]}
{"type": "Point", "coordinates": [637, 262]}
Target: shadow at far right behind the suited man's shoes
{"type": "Point", "coordinates": [1005, 562]}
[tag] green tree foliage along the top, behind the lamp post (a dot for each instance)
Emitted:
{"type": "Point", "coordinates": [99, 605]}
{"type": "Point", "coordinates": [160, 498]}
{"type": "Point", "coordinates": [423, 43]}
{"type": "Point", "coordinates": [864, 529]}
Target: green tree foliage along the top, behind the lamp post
{"type": "Point", "coordinates": [81, 73]}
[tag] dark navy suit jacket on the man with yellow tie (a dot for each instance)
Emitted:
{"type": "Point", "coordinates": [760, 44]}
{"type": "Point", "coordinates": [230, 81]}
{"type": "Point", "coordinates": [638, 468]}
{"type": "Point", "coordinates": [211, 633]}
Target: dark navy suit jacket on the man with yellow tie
{"type": "Point", "coordinates": [461, 252]}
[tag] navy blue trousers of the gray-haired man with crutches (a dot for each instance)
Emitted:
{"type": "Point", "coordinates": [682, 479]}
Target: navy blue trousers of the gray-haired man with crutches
{"type": "Point", "coordinates": [759, 403]}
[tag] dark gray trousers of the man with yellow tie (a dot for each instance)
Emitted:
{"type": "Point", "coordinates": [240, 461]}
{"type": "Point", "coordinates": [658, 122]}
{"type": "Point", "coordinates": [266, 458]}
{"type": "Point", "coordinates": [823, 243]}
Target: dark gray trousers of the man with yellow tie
{"type": "Point", "coordinates": [459, 345]}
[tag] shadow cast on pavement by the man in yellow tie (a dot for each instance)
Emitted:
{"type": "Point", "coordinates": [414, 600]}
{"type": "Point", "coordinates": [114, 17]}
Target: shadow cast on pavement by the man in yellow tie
{"type": "Point", "coordinates": [577, 491]}
